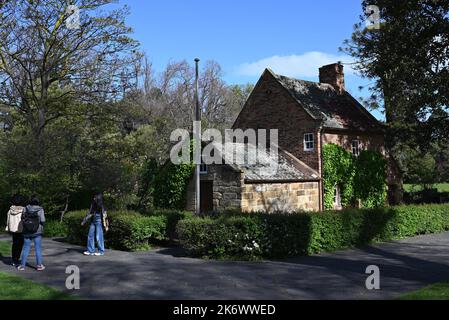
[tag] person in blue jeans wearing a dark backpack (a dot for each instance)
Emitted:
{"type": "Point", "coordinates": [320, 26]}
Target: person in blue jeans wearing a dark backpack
{"type": "Point", "coordinates": [33, 220]}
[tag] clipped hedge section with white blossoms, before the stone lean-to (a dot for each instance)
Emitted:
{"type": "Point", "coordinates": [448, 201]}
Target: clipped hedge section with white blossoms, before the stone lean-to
{"type": "Point", "coordinates": [248, 237]}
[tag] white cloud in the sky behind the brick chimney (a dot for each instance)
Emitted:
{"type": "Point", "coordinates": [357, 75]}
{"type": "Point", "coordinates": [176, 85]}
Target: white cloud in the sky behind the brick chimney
{"type": "Point", "coordinates": [304, 65]}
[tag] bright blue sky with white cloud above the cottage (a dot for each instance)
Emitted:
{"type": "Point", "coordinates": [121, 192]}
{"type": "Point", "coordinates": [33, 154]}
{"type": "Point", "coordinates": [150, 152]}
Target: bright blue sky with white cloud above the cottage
{"type": "Point", "coordinates": [293, 37]}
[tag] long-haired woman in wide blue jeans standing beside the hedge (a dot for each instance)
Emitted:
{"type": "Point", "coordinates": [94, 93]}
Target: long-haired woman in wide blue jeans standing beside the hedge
{"type": "Point", "coordinates": [98, 220]}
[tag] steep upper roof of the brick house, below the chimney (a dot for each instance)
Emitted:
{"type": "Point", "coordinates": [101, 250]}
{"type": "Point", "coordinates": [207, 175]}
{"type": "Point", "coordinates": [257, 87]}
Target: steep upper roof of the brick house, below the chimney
{"type": "Point", "coordinates": [322, 102]}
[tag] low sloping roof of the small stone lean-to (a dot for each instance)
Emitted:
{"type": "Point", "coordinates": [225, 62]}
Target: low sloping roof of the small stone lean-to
{"type": "Point", "coordinates": [266, 167]}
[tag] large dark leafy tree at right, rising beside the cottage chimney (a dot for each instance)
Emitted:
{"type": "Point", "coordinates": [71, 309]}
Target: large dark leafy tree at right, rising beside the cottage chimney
{"type": "Point", "coordinates": [407, 57]}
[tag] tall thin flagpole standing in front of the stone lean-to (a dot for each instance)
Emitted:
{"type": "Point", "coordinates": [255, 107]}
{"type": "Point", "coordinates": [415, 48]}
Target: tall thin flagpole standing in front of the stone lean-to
{"type": "Point", "coordinates": [197, 142]}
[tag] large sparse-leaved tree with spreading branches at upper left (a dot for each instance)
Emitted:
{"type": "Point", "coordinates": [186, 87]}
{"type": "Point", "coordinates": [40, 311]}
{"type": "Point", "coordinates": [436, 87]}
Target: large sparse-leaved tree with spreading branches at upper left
{"type": "Point", "coordinates": [54, 50]}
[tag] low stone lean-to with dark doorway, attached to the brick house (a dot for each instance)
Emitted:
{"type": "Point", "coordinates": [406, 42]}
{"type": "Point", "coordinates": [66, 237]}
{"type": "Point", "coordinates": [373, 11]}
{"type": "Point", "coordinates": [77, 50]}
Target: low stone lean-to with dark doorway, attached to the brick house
{"type": "Point", "coordinates": [281, 183]}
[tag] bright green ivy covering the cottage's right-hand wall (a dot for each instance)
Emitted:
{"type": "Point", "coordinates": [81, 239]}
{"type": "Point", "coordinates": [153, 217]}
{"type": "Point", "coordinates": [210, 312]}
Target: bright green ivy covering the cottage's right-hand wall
{"type": "Point", "coordinates": [362, 177]}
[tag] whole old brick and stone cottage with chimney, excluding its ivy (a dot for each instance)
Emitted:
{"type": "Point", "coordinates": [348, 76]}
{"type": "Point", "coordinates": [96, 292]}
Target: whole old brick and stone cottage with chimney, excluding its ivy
{"type": "Point", "coordinates": [307, 116]}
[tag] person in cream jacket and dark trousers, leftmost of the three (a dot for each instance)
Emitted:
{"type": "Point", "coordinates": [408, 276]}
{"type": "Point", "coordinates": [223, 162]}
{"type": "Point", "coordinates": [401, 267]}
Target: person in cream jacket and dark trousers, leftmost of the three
{"type": "Point", "coordinates": [14, 227]}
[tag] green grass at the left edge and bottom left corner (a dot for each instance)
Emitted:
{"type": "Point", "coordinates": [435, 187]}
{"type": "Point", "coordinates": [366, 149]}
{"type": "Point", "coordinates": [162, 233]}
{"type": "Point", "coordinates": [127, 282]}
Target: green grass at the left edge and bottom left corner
{"type": "Point", "coordinates": [17, 288]}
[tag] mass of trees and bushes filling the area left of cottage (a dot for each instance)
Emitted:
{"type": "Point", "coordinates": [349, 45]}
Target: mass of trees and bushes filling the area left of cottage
{"type": "Point", "coordinates": [101, 120]}
